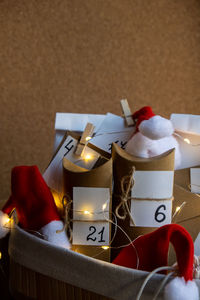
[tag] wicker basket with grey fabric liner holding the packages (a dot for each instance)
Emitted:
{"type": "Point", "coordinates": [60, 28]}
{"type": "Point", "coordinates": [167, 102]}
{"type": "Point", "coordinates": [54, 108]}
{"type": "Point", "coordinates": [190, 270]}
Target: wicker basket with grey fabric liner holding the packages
{"type": "Point", "coordinates": [42, 271]}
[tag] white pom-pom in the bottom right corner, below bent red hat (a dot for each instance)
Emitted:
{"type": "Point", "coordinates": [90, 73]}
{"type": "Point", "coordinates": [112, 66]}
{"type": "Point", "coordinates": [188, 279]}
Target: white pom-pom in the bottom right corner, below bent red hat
{"type": "Point", "coordinates": [179, 289]}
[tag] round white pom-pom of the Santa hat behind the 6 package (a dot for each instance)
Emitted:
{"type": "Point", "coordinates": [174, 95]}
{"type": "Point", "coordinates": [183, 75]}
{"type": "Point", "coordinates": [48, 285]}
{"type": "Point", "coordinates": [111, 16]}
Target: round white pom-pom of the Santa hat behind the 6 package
{"type": "Point", "coordinates": [156, 128]}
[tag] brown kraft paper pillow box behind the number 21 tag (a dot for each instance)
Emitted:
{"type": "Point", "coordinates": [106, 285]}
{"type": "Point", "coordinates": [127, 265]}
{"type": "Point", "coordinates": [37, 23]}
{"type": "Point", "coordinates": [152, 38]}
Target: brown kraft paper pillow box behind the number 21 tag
{"type": "Point", "coordinates": [99, 177]}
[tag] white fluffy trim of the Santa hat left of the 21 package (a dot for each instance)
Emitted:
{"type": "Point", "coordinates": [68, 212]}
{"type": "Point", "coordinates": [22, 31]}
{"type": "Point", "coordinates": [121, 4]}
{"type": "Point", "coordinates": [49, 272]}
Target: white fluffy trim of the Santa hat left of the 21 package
{"type": "Point", "coordinates": [57, 238]}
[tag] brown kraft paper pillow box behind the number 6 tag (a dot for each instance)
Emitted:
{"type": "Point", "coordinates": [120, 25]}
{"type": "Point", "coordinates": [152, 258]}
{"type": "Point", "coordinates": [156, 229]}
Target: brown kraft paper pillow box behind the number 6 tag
{"type": "Point", "coordinates": [122, 165]}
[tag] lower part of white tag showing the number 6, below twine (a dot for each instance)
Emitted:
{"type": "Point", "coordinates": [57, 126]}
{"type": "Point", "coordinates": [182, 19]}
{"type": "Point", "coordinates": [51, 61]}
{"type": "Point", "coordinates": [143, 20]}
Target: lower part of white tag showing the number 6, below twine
{"type": "Point", "coordinates": [151, 213]}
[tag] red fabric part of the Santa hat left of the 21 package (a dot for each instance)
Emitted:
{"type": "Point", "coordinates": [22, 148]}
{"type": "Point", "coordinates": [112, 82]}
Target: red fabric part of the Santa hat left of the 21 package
{"type": "Point", "coordinates": [32, 198]}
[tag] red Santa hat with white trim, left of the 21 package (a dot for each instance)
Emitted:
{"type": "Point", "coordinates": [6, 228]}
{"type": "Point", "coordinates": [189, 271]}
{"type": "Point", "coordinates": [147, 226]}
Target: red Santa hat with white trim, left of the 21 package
{"type": "Point", "coordinates": [34, 204]}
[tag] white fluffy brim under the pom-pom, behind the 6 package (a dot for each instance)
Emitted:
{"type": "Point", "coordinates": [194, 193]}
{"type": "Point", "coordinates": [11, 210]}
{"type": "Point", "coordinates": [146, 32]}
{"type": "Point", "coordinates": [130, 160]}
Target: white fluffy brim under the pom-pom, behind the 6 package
{"type": "Point", "coordinates": [141, 146]}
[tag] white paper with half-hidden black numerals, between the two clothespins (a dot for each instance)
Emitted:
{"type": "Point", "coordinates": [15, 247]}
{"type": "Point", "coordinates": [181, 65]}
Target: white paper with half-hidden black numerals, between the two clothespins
{"type": "Point", "coordinates": [112, 130]}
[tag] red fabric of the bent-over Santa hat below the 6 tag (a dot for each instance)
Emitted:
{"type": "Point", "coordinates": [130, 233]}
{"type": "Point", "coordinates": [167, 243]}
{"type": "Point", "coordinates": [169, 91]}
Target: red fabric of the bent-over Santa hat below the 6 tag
{"type": "Point", "coordinates": [152, 250]}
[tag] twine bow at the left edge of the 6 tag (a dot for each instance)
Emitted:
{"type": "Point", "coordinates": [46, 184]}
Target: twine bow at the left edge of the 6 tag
{"type": "Point", "coordinates": [127, 183]}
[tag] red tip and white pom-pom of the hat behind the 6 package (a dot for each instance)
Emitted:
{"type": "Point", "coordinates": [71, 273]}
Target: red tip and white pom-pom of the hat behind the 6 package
{"type": "Point", "coordinates": [152, 126]}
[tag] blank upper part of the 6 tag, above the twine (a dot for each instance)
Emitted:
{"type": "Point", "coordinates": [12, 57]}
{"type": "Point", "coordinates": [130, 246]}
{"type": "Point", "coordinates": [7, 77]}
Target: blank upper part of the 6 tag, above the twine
{"type": "Point", "coordinates": [153, 184]}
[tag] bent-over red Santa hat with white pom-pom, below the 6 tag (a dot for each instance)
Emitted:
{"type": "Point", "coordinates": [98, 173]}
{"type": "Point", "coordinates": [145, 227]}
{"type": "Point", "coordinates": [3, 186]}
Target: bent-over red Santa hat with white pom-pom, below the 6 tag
{"type": "Point", "coordinates": [150, 251]}
